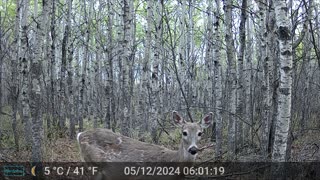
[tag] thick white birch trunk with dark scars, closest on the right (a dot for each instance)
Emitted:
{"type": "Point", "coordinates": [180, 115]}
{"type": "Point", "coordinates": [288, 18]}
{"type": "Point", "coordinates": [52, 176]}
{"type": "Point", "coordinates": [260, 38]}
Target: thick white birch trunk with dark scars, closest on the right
{"type": "Point", "coordinates": [284, 102]}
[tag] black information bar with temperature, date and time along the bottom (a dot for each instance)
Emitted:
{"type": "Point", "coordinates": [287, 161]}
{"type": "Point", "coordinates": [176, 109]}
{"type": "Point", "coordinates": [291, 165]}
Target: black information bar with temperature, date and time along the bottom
{"type": "Point", "coordinates": [160, 170]}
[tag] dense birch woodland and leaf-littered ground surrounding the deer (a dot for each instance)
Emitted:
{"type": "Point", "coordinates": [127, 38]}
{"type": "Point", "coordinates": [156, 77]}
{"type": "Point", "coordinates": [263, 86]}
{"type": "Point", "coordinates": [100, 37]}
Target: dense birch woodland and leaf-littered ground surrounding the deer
{"type": "Point", "coordinates": [71, 65]}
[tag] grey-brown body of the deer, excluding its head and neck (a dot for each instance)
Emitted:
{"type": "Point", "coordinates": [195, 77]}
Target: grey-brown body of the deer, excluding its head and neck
{"type": "Point", "coordinates": [111, 147]}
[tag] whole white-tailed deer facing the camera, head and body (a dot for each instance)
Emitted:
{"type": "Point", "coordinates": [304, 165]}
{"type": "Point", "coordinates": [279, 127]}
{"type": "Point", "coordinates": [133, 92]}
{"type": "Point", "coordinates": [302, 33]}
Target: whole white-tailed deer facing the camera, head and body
{"type": "Point", "coordinates": [102, 145]}
